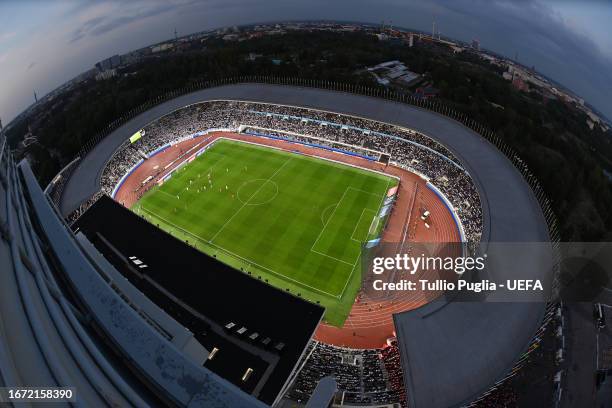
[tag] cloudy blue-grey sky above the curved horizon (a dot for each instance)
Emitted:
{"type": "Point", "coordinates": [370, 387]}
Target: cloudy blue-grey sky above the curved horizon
{"type": "Point", "coordinates": [44, 44]}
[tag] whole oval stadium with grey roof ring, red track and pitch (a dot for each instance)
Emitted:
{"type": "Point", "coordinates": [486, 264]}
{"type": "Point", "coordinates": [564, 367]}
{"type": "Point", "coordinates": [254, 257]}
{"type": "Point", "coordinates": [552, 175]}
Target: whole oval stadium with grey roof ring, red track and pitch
{"type": "Point", "coordinates": [239, 213]}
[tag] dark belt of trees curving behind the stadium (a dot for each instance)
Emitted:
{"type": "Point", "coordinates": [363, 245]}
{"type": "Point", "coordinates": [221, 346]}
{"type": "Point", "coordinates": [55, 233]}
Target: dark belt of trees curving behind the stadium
{"type": "Point", "coordinates": [551, 136]}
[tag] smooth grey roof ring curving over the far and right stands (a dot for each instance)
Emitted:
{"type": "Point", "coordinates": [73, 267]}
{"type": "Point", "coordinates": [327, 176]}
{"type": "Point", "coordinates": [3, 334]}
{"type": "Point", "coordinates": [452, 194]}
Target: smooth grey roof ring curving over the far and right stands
{"type": "Point", "coordinates": [451, 352]}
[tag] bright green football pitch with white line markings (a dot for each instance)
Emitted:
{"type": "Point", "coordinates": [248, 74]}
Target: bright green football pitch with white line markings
{"type": "Point", "coordinates": [291, 220]}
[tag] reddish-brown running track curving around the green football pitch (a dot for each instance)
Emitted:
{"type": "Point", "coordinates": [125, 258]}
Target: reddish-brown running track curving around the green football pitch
{"type": "Point", "coordinates": [370, 322]}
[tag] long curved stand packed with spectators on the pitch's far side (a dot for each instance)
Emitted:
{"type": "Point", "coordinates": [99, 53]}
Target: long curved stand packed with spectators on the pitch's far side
{"type": "Point", "coordinates": [406, 148]}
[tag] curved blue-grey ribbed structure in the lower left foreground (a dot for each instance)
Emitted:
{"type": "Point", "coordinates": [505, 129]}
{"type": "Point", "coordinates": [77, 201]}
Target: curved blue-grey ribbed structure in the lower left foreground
{"type": "Point", "coordinates": [63, 324]}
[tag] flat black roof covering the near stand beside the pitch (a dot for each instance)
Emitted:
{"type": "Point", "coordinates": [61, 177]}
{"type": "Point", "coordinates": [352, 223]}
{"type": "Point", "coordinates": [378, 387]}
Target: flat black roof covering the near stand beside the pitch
{"type": "Point", "coordinates": [251, 325]}
